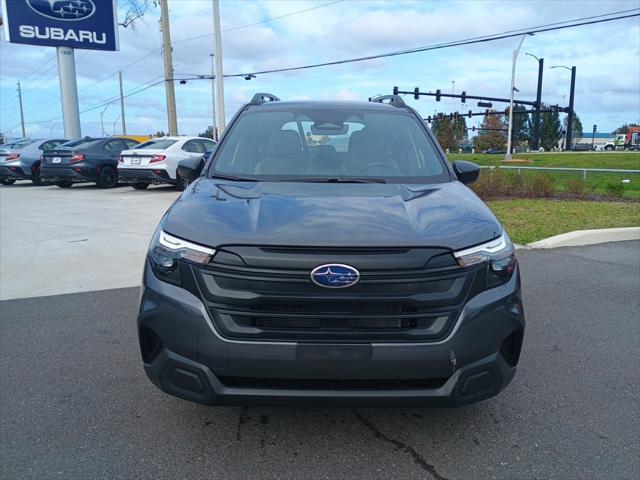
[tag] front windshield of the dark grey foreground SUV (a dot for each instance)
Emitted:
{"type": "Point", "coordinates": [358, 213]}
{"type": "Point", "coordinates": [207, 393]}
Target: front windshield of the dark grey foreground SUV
{"type": "Point", "coordinates": [329, 143]}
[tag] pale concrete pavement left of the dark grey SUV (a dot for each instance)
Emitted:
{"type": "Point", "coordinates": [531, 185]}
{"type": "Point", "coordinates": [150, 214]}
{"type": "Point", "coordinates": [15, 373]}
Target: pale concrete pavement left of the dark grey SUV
{"type": "Point", "coordinates": [79, 239]}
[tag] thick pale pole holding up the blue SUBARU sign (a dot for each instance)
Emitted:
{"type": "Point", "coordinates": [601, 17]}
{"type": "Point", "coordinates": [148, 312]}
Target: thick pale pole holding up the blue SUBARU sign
{"type": "Point", "coordinates": [68, 92]}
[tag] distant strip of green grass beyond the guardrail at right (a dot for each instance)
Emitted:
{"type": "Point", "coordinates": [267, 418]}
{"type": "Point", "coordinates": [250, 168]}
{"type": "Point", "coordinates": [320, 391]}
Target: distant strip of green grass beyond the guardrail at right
{"type": "Point", "coordinates": [620, 160]}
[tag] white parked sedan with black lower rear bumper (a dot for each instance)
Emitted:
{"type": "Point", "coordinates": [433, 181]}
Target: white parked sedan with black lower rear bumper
{"type": "Point", "coordinates": [156, 161]}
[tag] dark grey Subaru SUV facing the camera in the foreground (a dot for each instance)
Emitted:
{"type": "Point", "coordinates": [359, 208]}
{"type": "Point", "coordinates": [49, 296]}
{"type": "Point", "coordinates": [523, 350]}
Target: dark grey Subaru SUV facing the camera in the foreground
{"type": "Point", "coordinates": [300, 270]}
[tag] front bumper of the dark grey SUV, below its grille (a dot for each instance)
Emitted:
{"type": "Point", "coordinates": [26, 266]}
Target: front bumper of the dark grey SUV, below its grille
{"type": "Point", "coordinates": [185, 355]}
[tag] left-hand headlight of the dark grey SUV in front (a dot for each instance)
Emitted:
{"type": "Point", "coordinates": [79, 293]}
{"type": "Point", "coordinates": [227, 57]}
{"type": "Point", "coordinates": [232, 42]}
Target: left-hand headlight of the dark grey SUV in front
{"type": "Point", "coordinates": [166, 251]}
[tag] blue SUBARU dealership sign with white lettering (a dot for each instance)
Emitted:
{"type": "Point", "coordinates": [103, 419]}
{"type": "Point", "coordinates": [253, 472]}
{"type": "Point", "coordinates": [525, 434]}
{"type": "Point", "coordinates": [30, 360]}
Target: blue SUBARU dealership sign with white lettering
{"type": "Point", "coordinates": [88, 24]}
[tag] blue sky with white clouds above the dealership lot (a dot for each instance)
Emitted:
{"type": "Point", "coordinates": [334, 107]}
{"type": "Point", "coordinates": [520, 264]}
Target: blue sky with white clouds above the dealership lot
{"type": "Point", "coordinates": [607, 57]}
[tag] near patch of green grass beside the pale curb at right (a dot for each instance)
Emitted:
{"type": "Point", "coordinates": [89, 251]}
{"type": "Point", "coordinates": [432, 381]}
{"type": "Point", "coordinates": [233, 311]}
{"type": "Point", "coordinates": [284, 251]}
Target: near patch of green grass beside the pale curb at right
{"type": "Point", "coordinates": [529, 220]}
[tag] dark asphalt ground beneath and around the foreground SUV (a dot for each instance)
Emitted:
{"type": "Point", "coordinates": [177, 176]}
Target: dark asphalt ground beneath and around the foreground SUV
{"type": "Point", "coordinates": [75, 403]}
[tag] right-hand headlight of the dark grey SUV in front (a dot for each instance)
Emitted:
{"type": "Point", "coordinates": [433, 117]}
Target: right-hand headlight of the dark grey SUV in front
{"type": "Point", "coordinates": [498, 254]}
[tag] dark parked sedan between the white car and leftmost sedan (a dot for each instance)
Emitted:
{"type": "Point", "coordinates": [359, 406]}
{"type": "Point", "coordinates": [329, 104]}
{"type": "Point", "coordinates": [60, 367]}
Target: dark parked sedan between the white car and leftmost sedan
{"type": "Point", "coordinates": [86, 160]}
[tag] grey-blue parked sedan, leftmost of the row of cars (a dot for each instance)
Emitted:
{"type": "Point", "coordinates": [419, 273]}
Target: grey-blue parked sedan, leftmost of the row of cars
{"type": "Point", "coordinates": [21, 160]}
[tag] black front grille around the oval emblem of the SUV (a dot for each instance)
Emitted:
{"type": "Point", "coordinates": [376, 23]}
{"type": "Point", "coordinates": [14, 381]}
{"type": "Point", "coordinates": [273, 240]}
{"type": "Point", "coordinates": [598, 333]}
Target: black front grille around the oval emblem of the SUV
{"type": "Point", "coordinates": [267, 294]}
